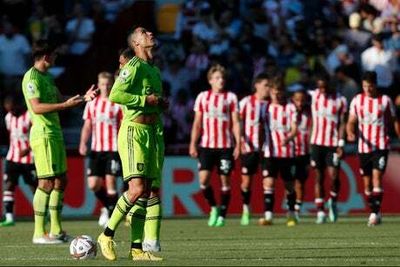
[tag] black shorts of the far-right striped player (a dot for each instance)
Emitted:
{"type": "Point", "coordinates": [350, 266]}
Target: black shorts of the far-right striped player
{"type": "Point", "coordinates": [374, 160]}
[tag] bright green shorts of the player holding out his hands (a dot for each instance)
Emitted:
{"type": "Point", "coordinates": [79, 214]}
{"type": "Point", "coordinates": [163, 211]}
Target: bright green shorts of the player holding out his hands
{"type": "Point", "coordinates": [50, 157]}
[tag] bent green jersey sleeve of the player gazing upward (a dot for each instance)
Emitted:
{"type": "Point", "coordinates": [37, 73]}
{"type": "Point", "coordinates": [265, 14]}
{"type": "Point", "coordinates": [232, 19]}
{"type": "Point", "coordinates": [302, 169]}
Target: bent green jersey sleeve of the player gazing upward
{"type": "Point", "coordinates": [120, 91]}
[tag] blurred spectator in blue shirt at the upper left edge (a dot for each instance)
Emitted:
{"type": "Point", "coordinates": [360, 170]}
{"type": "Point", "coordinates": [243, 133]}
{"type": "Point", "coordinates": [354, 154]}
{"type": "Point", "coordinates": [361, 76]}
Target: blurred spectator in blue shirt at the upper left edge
{"type": "Point", "coordinates": [14, 52]}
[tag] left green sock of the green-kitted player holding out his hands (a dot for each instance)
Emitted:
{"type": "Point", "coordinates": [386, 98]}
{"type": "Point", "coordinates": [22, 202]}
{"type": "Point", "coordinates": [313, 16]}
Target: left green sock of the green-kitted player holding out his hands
{"type": "Point", "coordinates": [40, 202]}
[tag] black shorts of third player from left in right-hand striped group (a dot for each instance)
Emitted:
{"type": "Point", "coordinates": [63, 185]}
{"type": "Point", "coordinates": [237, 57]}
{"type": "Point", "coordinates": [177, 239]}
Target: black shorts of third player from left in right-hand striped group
{"type": "Point", "coordinates": [272, 167]}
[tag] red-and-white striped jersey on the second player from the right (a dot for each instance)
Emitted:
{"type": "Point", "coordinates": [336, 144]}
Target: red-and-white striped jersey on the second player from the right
{"type": "Point", "coordinates": [327, 111]}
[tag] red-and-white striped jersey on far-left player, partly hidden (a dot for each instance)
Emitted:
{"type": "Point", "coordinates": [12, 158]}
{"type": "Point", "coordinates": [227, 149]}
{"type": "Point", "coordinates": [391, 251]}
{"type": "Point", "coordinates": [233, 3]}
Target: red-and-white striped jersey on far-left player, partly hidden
{"type": "Point", "coordinates": [18, 128]}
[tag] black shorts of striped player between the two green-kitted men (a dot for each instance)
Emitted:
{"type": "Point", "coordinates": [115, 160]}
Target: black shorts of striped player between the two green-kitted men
{"type": "Point", "coordinates": [103, 163]}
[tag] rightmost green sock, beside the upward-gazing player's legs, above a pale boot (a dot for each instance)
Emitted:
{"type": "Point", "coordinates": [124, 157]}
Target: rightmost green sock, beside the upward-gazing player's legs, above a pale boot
{"type": "Point", "coordinates": [153, 219]}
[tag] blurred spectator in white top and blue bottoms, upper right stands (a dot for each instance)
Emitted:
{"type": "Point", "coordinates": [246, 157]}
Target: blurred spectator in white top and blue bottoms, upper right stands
{"type": "Point", "coordinates": [377, 58]}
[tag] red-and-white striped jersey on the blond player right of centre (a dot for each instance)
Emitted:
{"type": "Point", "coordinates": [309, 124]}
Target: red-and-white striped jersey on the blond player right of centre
{"type": "Point", "coordinates": [216, 109]}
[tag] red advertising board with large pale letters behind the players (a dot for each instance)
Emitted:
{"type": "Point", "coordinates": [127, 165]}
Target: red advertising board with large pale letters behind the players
{"type": "Point", "coordinates": [181, 194]}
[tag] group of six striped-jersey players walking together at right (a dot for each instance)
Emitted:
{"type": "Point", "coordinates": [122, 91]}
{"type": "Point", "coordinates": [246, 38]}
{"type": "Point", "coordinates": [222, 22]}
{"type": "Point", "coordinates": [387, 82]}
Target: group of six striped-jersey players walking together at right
{"type": "Point", "coordinates": [286, 135]}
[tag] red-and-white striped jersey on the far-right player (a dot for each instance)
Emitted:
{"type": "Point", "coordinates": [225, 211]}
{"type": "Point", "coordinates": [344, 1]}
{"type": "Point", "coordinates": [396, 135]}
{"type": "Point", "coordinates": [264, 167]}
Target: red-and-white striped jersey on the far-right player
{"type": "Point", "coordinates": [374, 115]}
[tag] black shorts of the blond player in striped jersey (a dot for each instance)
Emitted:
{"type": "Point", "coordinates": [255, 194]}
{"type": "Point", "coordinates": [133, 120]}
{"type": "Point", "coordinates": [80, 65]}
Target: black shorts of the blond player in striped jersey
{"type": "Point", "coordinates": [222, 158]}
